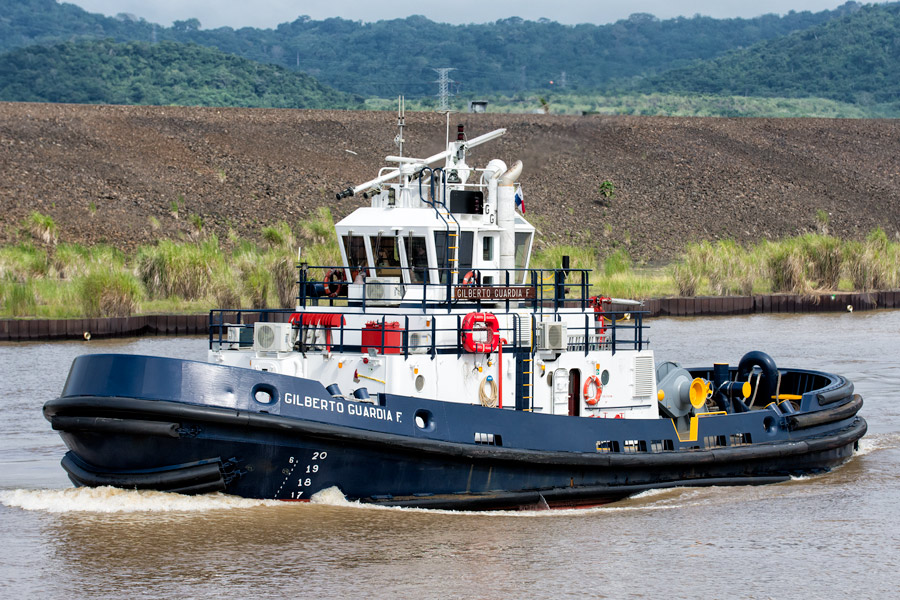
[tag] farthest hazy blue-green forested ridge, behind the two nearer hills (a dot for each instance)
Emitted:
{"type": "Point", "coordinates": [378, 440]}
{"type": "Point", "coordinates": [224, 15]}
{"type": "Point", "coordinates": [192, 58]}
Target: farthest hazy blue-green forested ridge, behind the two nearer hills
{"type": "Point", "coordinates": [396, 56]}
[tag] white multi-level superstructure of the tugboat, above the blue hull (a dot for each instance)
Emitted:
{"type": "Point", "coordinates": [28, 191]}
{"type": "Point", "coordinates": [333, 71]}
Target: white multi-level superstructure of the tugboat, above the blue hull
{"type": "Point", "coordinates": [435, 298]}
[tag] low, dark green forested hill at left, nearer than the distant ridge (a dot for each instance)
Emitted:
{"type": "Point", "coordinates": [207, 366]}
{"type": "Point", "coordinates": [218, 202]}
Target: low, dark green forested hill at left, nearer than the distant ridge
{"type": "Point", "coordinates": [105, 72]}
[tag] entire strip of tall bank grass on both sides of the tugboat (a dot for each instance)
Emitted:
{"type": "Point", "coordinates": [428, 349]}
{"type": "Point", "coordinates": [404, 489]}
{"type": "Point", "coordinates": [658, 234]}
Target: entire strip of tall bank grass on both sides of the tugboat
{"type": "Point", "coordinates": [40, 278]}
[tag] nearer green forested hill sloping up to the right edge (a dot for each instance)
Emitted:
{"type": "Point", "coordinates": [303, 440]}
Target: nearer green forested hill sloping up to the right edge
{"type": "Point", "coordinates": [852, 59]}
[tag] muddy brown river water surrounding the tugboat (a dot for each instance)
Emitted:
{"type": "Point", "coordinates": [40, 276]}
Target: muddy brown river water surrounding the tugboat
{"type": "Point", "coordinates": [835, 535]}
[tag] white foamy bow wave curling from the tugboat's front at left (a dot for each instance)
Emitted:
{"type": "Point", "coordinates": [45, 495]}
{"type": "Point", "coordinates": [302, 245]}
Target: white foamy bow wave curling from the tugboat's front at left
{"type": "Point", "coordinates": [115, 500]}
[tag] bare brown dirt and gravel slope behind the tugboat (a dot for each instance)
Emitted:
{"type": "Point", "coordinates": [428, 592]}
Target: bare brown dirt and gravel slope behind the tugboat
{"type": "Point", "coordinates": [101, 172]}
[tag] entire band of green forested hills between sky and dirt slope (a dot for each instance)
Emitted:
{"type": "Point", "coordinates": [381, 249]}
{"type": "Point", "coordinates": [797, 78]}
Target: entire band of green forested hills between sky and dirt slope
{"type": "Point", "coordinates": [791, 65]}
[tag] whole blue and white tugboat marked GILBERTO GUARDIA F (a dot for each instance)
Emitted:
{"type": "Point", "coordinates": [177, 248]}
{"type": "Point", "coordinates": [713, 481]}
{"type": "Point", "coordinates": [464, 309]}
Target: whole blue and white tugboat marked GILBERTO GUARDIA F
{"type": "Point", "coordinates": [435, 368]}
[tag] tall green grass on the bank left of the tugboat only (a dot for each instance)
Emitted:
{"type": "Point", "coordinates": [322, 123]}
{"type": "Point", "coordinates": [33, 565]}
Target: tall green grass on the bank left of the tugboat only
{"type": "Point", "coordinates": [39, 278]}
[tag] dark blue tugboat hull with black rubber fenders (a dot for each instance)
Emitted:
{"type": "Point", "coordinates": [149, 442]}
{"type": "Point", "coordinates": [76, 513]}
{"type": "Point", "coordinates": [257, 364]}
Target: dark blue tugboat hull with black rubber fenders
{"type": "Point", "coordinates": [153, 423]}
